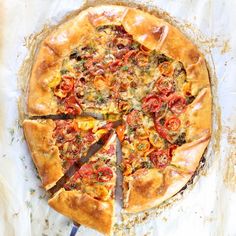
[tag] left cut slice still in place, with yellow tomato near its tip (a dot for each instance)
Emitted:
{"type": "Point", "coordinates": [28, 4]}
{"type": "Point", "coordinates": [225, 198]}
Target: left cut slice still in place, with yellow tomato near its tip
{"type": "Point", "coordinates": [56, 144]}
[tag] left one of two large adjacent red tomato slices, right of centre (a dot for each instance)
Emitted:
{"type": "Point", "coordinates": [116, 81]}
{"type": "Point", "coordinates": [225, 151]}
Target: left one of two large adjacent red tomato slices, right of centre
{"type": "Point", "coordinates": [152, 103]}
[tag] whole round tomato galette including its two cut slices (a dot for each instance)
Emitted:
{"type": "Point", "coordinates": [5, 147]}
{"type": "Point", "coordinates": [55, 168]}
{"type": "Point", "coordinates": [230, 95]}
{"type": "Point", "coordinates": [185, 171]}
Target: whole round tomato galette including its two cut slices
{"type": "Point", "coordinates": [151, 86]}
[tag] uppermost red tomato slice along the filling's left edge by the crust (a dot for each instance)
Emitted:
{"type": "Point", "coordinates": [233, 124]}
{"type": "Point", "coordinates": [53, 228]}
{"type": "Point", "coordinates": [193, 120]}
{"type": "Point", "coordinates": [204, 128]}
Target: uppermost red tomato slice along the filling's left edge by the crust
{"type": "Point", "coordinates": [66, 86]}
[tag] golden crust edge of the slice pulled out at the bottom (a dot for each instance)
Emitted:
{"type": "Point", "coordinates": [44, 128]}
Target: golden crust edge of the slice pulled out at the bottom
{"type": "Point", "coordinates": [84, 209]}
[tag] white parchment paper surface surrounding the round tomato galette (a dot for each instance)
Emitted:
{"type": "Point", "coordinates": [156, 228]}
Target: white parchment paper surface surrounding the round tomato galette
{"type": "Point", "coordinates": [208, 209]}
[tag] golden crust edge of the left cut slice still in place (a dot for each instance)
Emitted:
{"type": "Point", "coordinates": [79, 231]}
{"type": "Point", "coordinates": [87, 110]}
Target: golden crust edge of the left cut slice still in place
{"type": "Point", "coordinates": [43, 151]}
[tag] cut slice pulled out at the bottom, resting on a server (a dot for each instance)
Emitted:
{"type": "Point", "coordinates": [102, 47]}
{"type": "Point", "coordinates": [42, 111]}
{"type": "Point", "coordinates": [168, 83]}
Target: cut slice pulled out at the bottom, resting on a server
{"type": "Point", "coordinates": [88, 197]}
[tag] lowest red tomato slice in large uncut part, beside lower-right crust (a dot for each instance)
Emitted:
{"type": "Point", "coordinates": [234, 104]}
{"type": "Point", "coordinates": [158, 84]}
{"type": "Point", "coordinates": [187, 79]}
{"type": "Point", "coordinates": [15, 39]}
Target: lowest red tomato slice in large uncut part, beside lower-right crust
{"type": "Point", "coordinates": [160, 158]}
